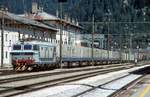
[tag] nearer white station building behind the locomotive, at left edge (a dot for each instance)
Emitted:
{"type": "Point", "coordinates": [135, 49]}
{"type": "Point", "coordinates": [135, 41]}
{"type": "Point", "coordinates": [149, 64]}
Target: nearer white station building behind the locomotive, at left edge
{"type": "Point", "coordinates": [18, 28]}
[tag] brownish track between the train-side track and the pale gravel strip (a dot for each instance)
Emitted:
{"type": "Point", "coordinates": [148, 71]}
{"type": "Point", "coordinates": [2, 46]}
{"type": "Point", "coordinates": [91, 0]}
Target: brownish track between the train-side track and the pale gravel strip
{"type": "Point", "coordinates": [13, 85]}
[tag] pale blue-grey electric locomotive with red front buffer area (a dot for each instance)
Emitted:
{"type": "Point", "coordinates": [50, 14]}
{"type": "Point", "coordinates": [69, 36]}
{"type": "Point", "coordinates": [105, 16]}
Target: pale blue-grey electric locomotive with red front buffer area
{"type": "Point", "coordinates": [32, 54]}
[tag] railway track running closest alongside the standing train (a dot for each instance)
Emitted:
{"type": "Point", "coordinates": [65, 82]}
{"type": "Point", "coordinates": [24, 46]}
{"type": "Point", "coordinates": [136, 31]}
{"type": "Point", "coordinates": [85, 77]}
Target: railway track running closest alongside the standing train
{"type": "Point", "coordinates": [12, 74]}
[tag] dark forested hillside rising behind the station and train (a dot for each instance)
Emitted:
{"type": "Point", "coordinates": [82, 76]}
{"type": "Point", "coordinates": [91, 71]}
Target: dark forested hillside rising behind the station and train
{"type": "Point", "coordinates": [104, 11]}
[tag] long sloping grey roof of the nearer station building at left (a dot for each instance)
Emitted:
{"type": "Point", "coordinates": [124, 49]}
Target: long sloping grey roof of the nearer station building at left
{"type": "Point", "coordinates": [27, 21]}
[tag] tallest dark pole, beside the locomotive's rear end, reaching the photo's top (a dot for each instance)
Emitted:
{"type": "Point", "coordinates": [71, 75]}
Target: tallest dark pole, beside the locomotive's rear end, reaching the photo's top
{"type": "Point", "coordinates": [61, 30]}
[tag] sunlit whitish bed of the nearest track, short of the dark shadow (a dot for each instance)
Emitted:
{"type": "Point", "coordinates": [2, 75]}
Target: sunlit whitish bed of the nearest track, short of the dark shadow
{"type": "Point", "coordinates": [106, 90]}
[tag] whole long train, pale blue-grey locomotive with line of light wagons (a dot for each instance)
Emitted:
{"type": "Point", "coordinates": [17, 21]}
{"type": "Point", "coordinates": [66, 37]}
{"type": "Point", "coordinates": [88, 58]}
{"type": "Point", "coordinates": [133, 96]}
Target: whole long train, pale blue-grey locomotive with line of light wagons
{"type": "Point", "coordinates": [29, 55]}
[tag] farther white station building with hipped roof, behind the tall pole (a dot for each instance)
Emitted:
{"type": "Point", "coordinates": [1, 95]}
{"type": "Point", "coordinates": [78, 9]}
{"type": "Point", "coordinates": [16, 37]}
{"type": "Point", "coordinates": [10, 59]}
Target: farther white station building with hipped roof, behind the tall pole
{"type": "Point", "coordinates": [70, 29]}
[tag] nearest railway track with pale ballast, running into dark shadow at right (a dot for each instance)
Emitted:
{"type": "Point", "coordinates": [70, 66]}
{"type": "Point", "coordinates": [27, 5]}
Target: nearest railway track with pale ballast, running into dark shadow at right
{"type": "Point", "coordinates": [110, 88]}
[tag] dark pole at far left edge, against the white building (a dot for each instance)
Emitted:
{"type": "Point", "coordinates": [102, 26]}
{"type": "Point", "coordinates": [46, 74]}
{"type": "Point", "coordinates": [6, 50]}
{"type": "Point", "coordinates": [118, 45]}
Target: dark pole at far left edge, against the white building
{"type": "Point", "coordinates": [2, 39]}
